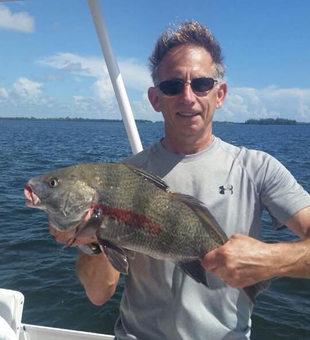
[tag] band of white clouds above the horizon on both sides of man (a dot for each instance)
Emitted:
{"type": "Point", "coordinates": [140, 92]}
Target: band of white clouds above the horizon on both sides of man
{"type": "Point", "coordinates": [26, 97]}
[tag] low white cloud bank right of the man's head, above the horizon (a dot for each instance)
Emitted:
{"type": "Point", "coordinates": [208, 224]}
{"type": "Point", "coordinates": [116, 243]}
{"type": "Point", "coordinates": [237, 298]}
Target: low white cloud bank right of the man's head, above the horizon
{"type": "Point", "coordinates": [270, 102]}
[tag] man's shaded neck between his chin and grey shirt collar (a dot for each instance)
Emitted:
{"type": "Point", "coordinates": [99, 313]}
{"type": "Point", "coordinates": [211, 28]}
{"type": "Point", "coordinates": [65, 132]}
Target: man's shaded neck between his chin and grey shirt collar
{"type": "Point", "coordinates": [187, 146]}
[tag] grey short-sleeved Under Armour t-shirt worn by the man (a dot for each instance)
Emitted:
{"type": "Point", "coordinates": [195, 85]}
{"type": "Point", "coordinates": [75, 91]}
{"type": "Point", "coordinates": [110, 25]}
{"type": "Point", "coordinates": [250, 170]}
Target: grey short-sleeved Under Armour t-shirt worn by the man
{"type": "Point", "coordinates": [160, 301]}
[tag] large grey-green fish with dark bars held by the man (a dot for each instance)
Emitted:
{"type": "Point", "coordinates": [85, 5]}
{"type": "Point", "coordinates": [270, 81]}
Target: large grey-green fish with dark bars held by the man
{"type": "Point", "coordinates": [130, 210]}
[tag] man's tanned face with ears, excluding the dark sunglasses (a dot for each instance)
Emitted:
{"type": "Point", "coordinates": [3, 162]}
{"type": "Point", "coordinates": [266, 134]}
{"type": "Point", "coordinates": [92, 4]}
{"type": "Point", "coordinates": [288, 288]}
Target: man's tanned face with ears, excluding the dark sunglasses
{"type": "Point", "coordinates": [188, 114]}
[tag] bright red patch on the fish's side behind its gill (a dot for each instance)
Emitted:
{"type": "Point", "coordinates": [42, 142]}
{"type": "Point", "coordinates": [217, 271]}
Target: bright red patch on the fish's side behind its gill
{"type": "Point", "coordinates": [130, 218]}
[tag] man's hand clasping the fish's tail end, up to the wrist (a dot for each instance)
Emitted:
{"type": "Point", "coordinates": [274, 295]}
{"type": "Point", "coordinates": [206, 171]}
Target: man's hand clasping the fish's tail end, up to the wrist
{"type": "Point", "coordinates": [242, 261]}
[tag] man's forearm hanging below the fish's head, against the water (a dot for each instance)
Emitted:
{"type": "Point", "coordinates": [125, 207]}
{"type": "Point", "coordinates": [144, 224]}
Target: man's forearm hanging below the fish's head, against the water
{"type": "Point", "coordinates": [97, 276]}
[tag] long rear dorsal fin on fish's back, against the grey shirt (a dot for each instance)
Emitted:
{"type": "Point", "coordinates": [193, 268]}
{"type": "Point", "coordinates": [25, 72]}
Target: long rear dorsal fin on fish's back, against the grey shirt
{"type": "Point", "coordinates": [203, 214]}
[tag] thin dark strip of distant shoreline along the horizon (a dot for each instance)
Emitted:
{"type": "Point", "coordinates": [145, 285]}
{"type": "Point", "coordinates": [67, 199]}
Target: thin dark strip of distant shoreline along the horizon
{"type": "Point", "coordinates": [266, 121]}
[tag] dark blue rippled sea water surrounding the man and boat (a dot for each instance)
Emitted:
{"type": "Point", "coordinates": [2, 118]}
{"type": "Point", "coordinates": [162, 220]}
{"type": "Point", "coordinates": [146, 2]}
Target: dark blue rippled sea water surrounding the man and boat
{"type": "Point", "coordinates": [32, 262]}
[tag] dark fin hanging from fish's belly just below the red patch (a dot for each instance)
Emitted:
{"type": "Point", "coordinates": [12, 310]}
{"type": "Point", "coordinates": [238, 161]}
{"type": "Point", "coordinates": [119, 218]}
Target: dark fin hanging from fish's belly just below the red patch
{"type": "Point", "coordinates": [115, 255]}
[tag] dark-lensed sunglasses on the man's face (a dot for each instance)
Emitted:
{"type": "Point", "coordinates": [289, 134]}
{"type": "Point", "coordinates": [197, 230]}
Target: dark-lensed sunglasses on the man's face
{"type": "Point", "coordinates": [199, 85]}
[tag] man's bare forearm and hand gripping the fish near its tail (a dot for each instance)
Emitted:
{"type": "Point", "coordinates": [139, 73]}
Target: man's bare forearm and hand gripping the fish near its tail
{"type": "Point", "coordinates": [244, 261]}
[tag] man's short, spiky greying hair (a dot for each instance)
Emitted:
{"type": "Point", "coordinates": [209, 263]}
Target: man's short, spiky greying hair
{"type": "Point", "coordinates": [187, 33]}
